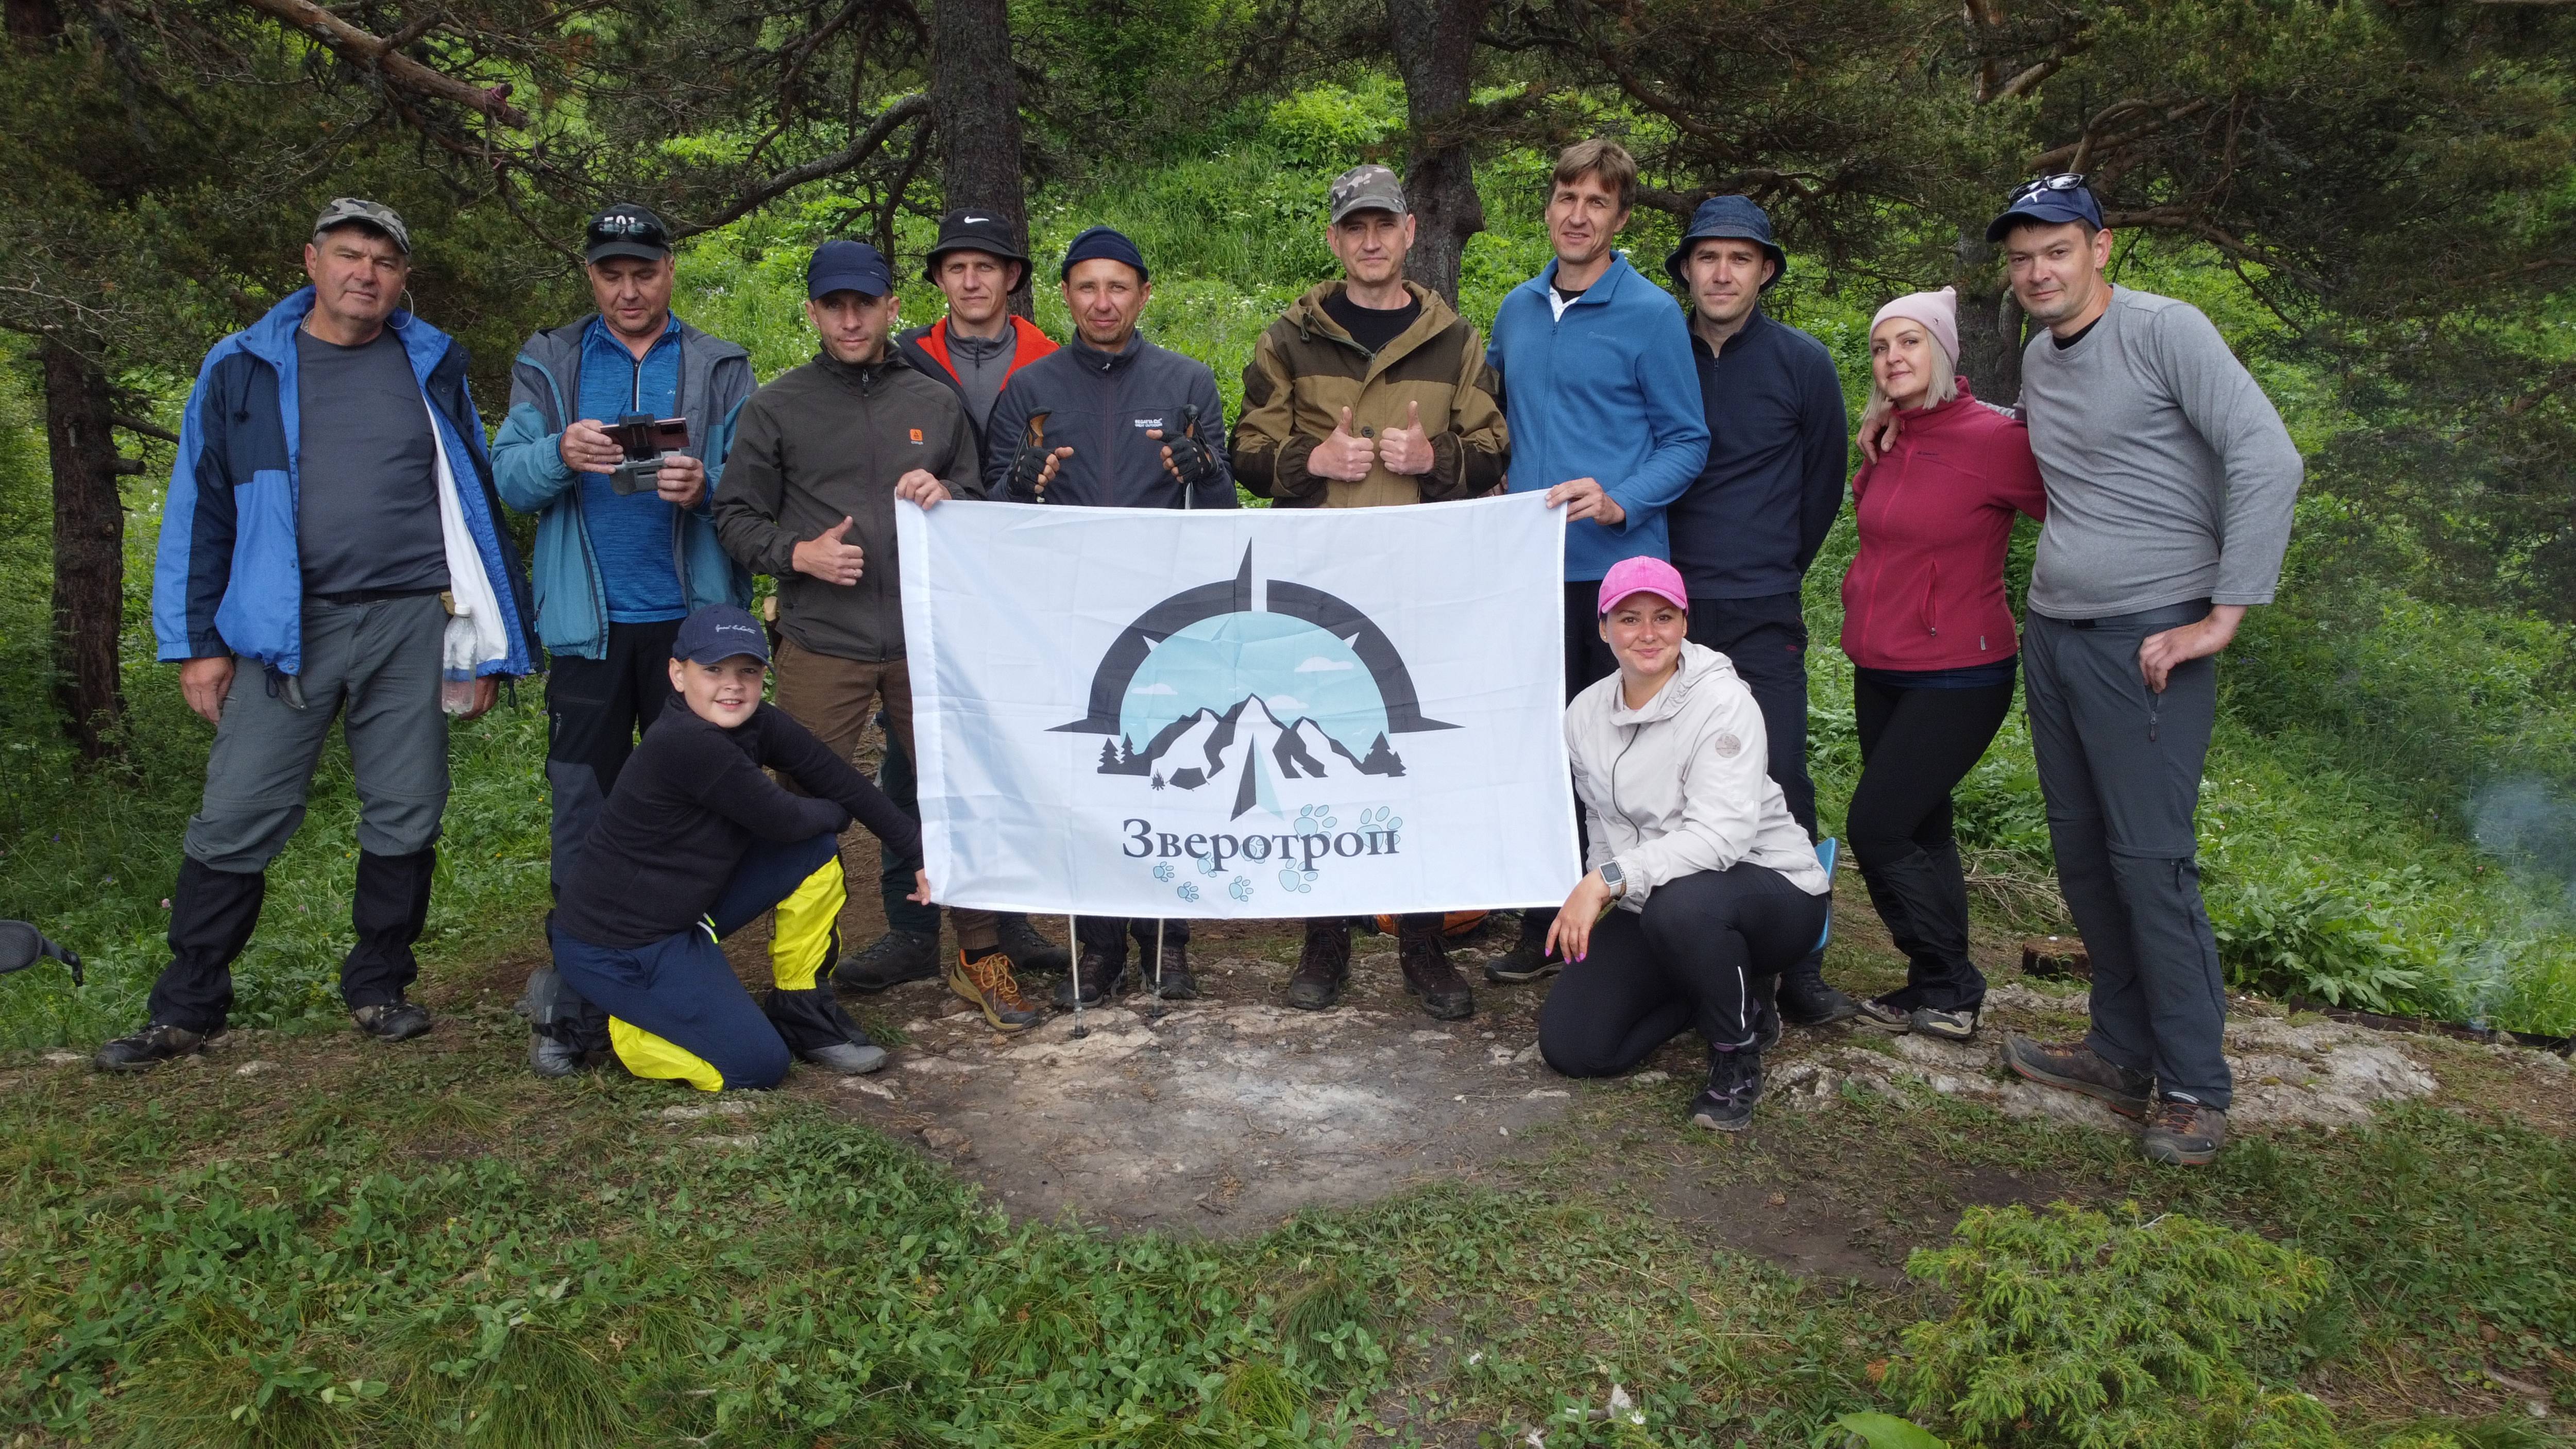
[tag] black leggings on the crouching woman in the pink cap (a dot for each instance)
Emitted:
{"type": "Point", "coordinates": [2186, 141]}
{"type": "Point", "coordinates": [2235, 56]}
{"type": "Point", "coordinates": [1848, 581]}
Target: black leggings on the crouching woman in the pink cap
{"type": "Point", "coordinates": [1689, 960]}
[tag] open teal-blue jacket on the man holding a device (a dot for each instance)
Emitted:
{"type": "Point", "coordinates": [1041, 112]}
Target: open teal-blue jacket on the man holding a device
{"type": "Point", "coordinates": [532, 476]}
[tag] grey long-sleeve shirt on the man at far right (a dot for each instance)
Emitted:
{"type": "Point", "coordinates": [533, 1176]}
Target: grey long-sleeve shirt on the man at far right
{"type": "Point", "coordinates": [2170, 476]}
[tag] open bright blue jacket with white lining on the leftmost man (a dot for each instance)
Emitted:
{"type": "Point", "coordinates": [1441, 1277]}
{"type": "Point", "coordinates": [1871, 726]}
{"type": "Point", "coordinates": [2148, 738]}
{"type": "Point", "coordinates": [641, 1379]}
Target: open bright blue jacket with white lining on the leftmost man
{"type": "Point", "coordinates": [231, 576]}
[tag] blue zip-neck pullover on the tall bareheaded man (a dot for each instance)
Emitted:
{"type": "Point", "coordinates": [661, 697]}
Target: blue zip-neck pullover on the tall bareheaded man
{"type": "Point", "coordinates": [1604, 393]}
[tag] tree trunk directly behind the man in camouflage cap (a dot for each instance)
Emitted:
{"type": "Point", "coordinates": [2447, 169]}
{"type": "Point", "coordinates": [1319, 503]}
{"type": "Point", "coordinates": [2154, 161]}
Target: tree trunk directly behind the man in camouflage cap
{"type": "Point", "coordinates": [1436, 50]}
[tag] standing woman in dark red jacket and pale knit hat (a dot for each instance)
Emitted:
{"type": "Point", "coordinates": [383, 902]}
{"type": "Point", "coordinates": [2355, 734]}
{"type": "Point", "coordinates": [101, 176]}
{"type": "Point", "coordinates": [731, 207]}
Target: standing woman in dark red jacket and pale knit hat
{"type": "Point", "coordinates": [1933, 646]}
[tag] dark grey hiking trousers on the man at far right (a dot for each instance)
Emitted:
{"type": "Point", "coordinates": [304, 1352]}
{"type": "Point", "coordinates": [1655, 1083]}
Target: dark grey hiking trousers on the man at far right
{"type": "Point", "coordinates": [2121, 772]}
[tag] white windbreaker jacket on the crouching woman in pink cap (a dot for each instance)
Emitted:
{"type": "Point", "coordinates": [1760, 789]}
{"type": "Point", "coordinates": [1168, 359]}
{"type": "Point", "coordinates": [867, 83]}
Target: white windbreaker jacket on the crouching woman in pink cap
{"type": "Point", "coordinates": [1683, 785]}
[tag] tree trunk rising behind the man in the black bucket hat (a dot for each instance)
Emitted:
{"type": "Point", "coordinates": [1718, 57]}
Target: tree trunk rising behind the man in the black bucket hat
{"type": "Point", "coordinates": [975, 102]}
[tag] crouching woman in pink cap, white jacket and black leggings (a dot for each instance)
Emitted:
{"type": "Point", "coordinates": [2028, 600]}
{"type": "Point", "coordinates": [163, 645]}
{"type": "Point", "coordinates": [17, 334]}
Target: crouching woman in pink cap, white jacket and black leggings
{"type": "Point", "coordinates": [1701, 883]}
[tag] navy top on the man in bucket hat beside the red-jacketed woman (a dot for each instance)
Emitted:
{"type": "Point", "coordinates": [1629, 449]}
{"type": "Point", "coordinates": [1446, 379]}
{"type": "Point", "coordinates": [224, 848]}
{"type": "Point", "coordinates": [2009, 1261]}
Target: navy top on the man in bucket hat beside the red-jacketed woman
{"type": "Point", "coordinates": [1779, 440]}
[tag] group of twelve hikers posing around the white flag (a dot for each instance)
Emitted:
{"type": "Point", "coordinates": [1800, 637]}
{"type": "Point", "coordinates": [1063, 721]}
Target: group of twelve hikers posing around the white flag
{"type": "Point", "coordinates": [334, 548]}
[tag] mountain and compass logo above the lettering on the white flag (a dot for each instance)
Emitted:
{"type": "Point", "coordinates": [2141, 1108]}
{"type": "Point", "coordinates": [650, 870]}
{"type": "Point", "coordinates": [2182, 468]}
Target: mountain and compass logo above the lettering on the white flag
{"type": "Point", "coordinates": [1207, 690]}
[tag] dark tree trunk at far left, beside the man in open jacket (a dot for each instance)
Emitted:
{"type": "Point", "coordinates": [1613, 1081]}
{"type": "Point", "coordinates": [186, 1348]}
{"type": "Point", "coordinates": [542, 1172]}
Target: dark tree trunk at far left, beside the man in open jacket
{"type": "Point", "coordinates": [89, 550]}
